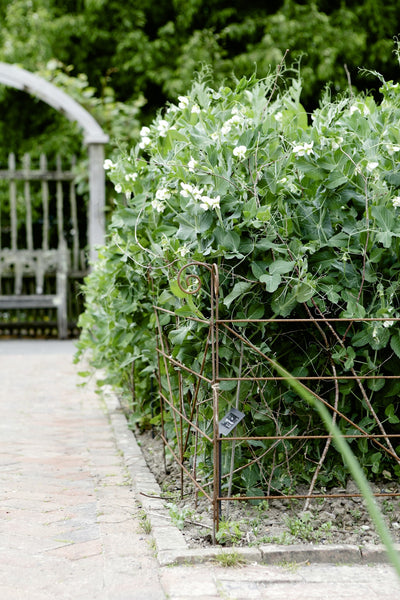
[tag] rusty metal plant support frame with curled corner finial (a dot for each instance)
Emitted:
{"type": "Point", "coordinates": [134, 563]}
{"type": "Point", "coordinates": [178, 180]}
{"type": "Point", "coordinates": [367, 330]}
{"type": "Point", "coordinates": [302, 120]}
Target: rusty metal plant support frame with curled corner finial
{"type": "Point", "coordinates": [188, 418]}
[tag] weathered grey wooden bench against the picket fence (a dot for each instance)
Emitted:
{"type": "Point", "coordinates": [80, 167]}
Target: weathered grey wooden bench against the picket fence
{"type": "Point", "coordinates": [37, 264]}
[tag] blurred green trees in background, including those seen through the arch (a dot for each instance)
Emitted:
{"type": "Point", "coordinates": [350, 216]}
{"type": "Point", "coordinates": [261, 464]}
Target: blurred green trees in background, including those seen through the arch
{"type": "Point", "coordinates": [124, 60]}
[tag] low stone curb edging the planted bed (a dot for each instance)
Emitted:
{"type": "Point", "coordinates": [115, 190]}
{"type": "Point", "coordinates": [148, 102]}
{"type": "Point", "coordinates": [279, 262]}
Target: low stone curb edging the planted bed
{"type": "Point", "coordinates": [170, 542]}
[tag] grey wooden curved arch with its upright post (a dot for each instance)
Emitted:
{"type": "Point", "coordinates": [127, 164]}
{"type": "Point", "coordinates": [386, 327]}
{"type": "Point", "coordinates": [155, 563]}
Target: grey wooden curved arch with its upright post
{"type": "Point", "coordinates": [94, 137]}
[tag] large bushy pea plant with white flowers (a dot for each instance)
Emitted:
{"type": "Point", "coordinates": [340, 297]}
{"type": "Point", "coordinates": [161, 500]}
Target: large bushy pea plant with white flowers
{"type": "Point", "coordinates": [301, 214]}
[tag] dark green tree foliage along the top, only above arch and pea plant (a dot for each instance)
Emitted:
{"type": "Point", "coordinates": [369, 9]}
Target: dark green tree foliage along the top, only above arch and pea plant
{"type": "Point", "coordinates": [154, 49]}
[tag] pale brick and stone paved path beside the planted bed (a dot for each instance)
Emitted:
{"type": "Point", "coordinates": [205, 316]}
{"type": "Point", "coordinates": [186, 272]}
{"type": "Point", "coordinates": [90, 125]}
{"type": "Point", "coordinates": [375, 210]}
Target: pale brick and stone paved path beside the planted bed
{"type": "Point", "coordinates": [69, 512]}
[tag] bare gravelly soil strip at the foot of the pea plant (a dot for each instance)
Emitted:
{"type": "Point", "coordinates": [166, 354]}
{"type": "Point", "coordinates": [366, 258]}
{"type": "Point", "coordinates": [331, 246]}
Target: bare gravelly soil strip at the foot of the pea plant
{"type": "Point", "coordinates": [325, 521]}
